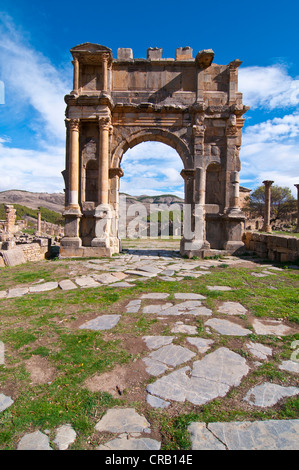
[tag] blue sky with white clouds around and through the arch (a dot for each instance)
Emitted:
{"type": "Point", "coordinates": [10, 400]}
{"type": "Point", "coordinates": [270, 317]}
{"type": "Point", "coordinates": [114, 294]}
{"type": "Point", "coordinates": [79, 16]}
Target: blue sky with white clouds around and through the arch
{"type": "Point", "coordinates": [36, 70]}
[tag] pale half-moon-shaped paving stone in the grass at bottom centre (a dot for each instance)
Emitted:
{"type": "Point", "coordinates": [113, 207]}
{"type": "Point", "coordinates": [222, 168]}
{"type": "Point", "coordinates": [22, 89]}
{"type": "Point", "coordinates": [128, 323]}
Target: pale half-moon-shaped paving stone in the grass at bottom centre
{"type": "Point", "coordinates": [119, 420]}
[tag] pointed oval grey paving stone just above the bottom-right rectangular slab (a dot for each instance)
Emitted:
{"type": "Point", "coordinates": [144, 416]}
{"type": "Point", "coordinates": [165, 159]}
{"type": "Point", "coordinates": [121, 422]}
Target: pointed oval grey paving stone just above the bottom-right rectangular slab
{"type": "Point", "coordinates": [268, 394]}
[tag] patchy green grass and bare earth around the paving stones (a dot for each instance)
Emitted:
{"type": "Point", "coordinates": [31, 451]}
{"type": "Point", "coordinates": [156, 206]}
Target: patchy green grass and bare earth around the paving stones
{"type": "Point", "coordinates": [42, 328]}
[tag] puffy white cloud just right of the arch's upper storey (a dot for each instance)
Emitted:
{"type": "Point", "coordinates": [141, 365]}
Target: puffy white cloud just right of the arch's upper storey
{"type": "Point", "coordinates": [270, 87]}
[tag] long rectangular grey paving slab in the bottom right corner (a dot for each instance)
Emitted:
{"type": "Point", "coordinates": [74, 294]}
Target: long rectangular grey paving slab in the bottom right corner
{"type": "Point", "coordinates": [246, 435]}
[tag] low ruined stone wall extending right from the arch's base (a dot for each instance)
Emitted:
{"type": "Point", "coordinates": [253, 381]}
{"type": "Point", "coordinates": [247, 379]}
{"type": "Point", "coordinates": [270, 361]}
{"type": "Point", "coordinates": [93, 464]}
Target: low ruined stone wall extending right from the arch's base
{"type": "Point", "coordinates": [273, 247]}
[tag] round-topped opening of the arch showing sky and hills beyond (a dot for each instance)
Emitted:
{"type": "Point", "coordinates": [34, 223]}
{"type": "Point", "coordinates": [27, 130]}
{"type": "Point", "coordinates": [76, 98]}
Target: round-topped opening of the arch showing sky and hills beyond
{"type": "Point", "coordinates": [152, 195]}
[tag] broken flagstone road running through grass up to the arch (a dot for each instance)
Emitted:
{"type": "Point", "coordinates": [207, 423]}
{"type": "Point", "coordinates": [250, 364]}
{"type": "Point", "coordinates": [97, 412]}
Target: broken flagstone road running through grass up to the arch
{"type": "Point", "coordinates": [182, 373]}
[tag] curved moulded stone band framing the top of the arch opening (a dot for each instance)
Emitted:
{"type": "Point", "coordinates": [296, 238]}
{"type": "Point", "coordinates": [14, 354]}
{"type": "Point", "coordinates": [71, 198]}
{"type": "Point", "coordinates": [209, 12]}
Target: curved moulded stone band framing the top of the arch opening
{"type": "Point", "coordinates": [152, 135]}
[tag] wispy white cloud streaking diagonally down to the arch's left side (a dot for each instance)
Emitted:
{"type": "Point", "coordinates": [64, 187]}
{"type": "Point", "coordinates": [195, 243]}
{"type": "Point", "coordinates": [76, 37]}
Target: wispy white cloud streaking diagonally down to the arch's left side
{"type": "Point", "coordinates": [32, 79]}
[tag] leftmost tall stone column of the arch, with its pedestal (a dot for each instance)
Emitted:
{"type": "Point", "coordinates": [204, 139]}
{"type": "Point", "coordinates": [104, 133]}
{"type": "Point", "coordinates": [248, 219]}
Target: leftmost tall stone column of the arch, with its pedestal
{"type": "Point", "coordinates": [72, 211]}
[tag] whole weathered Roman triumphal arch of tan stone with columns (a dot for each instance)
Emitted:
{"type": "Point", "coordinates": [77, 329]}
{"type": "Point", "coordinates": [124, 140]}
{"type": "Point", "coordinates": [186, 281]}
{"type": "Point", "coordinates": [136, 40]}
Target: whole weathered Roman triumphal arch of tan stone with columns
{"type": "Point", "coordinates": [187, 102]}
